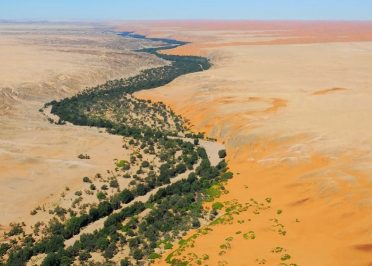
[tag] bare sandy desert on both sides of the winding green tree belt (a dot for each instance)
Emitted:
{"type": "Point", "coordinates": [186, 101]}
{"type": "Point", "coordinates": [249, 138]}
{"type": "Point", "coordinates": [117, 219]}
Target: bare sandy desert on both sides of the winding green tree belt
{"type": "Point", "coordinates": [291, 101]}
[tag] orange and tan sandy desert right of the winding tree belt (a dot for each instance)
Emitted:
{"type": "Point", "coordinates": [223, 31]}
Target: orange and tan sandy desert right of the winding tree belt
{"type": "Point", "coordinates": [292, 103]}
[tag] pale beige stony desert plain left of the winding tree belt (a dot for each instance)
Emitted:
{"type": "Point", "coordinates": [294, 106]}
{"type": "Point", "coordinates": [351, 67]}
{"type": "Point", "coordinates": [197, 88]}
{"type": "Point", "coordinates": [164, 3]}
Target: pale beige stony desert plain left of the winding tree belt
{"type": "Point", "coordinates": [40, 63]}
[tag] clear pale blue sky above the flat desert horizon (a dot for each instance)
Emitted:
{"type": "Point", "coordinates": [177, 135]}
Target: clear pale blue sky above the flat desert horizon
{"type": "Point", "coordinates": [185, 9]}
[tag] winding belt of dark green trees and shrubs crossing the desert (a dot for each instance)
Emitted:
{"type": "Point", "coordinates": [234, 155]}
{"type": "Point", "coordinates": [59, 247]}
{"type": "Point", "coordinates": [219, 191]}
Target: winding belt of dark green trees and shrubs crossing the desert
{"type": "Point", "coordinates": [133, 231]}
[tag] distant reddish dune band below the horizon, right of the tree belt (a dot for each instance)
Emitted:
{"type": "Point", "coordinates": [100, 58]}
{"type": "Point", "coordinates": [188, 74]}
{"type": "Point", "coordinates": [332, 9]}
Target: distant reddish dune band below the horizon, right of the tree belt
{"type": "Point", "coordinates": [234, 33]}
